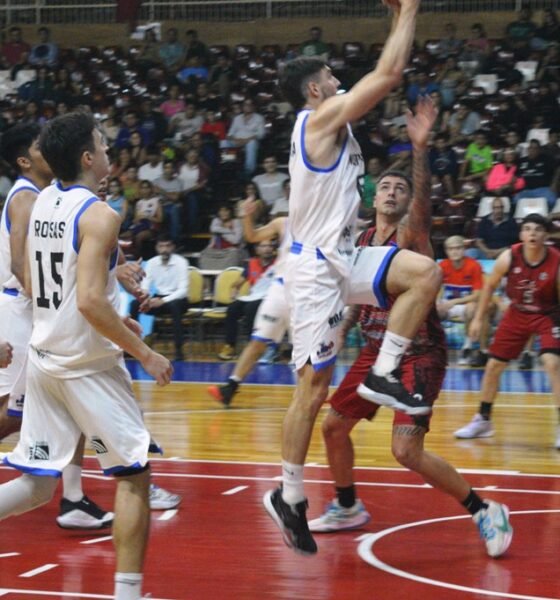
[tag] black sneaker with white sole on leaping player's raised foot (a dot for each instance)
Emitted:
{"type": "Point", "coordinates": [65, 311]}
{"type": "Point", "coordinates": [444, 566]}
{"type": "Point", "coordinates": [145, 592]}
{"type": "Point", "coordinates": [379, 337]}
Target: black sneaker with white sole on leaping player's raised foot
{"type": "Point", "coordinates": [387, 390]}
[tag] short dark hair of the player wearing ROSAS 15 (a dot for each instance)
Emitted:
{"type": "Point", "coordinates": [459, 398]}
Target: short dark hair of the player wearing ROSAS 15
{"type": "Point", "coordinates": [63, 141]}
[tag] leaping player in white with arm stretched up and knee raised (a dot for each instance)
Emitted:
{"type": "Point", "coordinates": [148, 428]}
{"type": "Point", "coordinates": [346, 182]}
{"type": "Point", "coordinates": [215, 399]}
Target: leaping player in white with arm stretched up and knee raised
{"type": "Point", "coordinates": [325, 161]}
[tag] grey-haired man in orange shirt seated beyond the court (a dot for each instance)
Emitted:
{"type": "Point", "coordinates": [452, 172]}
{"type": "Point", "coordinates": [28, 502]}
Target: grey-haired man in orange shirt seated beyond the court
{"type": "Point", "coordinates": [462, 282]}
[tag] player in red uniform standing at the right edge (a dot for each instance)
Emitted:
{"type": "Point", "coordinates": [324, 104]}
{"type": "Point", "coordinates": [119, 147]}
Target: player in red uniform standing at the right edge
{"type": "Point", "coordinates": [532, 276]}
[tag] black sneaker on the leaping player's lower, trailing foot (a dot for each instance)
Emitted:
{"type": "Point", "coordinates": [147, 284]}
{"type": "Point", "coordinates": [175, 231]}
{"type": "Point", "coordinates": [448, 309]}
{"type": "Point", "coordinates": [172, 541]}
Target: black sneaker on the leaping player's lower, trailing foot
{"type": "Point", "coordinates": [291, 521]}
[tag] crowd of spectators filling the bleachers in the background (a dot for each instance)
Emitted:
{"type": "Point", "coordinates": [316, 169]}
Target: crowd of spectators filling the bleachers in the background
{"type": "Point", "coordinates": [190, 125]}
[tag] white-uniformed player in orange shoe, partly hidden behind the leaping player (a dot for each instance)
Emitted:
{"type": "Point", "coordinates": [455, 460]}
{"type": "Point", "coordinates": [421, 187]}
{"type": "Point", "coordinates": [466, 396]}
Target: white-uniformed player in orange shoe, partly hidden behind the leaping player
{"type": "Point", "coordinates": [273, 317]}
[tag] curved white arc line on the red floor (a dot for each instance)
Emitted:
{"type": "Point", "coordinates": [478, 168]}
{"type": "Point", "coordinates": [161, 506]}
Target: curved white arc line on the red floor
{"type": "Point", "coordinates": [365, 551]}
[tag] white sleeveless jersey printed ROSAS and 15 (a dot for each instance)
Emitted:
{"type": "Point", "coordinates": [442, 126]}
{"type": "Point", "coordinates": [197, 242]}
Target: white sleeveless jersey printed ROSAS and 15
{"type": "Point", "coordinates": [63, 343]}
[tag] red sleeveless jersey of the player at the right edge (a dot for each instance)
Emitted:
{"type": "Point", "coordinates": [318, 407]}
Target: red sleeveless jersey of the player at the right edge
{"type": "Point", "coordinates": [533, 288]}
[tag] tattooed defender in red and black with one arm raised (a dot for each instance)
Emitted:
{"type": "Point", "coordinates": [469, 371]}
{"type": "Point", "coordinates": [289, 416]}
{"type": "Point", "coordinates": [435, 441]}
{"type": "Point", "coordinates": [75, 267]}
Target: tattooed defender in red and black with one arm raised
{"type": "Point", "coordinates": [403, 218]}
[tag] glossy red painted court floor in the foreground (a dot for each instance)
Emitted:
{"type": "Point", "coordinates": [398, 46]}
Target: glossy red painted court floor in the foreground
{"type": "Point", "coordinates": [220, 544]}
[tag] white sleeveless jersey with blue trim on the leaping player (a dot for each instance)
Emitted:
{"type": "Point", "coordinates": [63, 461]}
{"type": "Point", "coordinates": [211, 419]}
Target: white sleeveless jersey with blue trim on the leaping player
{"type": "Point", "coordinates": [324, 201]}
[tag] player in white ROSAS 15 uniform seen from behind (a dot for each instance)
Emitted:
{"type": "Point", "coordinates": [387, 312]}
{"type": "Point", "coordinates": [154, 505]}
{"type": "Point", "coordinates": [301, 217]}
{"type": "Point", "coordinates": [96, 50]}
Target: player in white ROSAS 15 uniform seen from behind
{"type": "Point", "coordinates": [76, 378]}
